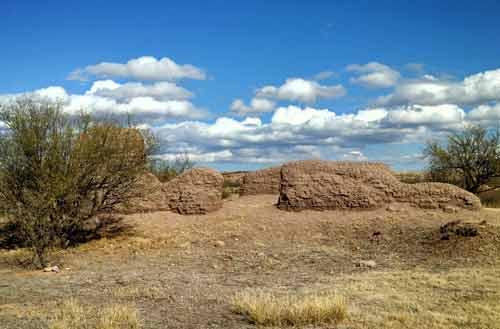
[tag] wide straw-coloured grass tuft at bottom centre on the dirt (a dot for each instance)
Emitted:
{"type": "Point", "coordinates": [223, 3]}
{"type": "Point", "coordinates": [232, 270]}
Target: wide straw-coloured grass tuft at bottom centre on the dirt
{"type": "Point", "coordinates": [266, 308]}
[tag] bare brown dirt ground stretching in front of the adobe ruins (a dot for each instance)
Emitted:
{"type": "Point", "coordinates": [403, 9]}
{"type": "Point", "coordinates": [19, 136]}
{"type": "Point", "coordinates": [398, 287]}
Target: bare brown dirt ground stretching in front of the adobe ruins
{"type": "Point", "coordinates": [182, 271]}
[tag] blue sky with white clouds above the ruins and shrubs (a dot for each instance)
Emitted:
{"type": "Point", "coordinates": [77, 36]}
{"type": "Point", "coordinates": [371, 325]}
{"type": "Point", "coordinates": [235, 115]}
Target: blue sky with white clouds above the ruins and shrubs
{"type": "Point", "coordinates": [241, 85]}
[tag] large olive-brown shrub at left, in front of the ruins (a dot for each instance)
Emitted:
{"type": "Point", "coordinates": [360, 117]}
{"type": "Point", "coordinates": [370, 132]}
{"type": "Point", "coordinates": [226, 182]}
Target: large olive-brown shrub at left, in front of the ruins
{"type": "Point", "coordinates": [57, 171]}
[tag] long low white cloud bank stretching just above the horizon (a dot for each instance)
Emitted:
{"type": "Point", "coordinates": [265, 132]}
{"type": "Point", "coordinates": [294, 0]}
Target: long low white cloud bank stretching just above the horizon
{"type": "Point", "coordinates": [296, 132]}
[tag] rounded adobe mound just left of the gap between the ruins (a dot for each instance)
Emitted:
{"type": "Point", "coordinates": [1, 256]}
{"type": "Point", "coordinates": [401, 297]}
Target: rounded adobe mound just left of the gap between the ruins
{"type": "Point", "coordinates": [197, 191]}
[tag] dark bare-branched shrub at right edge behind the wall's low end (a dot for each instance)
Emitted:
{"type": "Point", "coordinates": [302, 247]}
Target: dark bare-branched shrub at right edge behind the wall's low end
{"type": "Point", "coordinates": [470, 159]}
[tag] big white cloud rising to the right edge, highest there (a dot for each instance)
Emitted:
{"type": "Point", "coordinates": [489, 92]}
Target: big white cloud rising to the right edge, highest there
{"type": "Point", "coordinates": [473, 90]}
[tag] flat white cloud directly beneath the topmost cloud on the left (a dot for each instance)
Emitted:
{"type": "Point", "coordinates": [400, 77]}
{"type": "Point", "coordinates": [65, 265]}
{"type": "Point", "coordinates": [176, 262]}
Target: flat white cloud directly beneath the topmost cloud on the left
{"type": "Point", "coordinates": [158, 90]}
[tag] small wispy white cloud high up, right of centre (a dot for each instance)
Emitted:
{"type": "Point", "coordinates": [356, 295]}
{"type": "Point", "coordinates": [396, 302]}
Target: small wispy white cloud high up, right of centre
{"type": "Point", "coordinates": [374, 75]}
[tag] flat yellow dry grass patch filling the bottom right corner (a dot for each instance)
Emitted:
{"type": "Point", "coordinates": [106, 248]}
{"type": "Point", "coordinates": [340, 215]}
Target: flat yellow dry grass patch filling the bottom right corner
{"type": "Point", "coordinates": [457, 298]}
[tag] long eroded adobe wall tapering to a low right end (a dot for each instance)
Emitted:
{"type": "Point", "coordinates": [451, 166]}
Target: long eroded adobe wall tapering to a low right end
{"type": "Point", "coordinates": [321, 185]}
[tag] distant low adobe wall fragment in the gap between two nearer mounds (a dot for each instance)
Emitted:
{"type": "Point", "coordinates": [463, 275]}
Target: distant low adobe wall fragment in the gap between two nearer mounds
{"type": "Point", "coordinates": [265, 181]}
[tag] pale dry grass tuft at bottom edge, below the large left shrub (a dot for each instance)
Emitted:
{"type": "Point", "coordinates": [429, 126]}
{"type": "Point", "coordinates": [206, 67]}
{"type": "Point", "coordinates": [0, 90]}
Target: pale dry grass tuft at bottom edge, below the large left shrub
{"type": "Point", "coordinates": [73, 315]}
